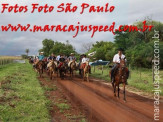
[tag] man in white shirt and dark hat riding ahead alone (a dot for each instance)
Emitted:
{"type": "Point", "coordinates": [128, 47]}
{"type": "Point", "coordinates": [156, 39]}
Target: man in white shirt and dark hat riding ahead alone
{"type": "Point", "coordinates": [116, 61]}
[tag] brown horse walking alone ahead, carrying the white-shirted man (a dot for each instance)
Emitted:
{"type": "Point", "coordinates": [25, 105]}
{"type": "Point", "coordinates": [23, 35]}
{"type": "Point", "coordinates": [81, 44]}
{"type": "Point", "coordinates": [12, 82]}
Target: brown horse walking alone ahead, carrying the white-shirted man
{"type": "Point", "coordinates": [120, 77]}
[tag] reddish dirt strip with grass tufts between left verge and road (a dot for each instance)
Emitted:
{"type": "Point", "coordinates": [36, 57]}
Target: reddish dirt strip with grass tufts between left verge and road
{"type": "Point", "coordinates": [63, 106]}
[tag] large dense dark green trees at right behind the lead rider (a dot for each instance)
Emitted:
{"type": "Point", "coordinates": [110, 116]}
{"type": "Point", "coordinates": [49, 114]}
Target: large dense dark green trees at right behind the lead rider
{"type": "Point", "coordinates": [139, 46]}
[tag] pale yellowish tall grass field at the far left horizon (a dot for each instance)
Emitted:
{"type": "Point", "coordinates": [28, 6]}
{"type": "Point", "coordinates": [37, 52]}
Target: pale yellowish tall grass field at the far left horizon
{"type": "Point", "coordinates": [8, 59]}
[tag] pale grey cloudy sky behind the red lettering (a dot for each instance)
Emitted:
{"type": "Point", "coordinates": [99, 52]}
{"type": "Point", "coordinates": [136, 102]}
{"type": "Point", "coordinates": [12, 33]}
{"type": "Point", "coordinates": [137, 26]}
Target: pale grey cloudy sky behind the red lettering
{"type": "Point", "coordinates": [125, 12]}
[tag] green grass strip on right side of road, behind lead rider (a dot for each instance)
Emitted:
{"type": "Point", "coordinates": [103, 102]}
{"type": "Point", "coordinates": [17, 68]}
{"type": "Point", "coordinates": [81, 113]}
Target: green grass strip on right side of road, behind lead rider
{"type": "Point", "coordinates": [139, 78]}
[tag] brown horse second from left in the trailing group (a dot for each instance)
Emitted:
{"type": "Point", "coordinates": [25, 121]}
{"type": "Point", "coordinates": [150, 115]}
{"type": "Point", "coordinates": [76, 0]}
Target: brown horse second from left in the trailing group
{"type": "Point", "coordinates": [52, 69]}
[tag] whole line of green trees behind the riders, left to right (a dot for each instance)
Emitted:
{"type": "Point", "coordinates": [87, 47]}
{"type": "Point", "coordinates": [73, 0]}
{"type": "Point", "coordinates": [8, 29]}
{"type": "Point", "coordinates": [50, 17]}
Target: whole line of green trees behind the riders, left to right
{"type": "Point", "coordinates": [138, 46]}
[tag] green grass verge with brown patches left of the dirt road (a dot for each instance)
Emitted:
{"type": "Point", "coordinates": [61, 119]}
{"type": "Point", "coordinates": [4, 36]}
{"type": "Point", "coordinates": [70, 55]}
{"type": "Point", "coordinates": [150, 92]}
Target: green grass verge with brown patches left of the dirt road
{"type": "Point", "coordinates": [21, 96]}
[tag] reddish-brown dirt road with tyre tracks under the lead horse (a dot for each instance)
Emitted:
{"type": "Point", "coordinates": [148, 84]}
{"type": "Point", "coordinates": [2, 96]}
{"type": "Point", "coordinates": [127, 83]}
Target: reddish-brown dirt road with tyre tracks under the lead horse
{"type": "Point", "coordinates": [101, 103]}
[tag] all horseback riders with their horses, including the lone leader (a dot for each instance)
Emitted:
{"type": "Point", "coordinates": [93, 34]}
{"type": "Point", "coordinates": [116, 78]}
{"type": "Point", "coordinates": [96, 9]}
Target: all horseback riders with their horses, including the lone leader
{"type": "Point", "coordinates": [119, 72]}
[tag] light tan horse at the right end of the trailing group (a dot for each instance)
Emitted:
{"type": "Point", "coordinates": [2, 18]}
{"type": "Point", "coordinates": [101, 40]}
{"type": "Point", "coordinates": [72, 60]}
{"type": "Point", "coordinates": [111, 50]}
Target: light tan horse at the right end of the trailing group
{"type": "Point", "coordinates": [85, 72]}
